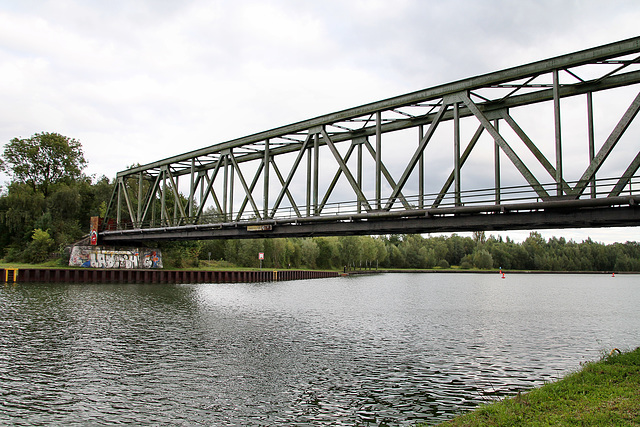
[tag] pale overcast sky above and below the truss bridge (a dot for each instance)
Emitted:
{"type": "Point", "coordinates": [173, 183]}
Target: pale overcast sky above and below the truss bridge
{"type": "Point", "coordinates": [138, 81]}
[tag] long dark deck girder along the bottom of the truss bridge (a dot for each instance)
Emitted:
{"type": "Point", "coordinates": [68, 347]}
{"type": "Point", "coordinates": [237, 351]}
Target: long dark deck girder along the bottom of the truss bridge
{"type": "Point", "coordinates": [620, 216]}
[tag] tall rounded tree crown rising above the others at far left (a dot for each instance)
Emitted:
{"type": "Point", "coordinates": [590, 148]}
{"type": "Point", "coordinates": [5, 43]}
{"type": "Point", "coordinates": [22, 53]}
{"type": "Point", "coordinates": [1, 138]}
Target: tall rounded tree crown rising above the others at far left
{"type": "Point", "coordinates": [44, 159]}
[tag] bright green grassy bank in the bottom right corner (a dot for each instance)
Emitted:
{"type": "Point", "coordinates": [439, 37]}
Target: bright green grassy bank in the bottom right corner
{"type": "Point", "coordinates": [603, 393]}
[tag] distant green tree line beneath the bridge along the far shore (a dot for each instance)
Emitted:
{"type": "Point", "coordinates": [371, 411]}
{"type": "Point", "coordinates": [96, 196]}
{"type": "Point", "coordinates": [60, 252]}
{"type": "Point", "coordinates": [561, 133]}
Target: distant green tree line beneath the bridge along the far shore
{"type": "Point", "coordinates": [418, 252]}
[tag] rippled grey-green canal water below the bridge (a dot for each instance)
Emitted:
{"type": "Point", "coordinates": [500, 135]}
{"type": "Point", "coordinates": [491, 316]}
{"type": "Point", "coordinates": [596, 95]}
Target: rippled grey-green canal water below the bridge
{"type": "Point", "coordinates": [389, 349]}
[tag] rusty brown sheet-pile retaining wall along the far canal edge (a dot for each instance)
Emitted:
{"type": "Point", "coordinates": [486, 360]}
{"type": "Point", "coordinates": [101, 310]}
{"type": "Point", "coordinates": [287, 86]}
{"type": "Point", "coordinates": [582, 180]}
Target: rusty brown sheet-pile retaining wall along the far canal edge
{"type": "Point", "coordinates": [84, 275]}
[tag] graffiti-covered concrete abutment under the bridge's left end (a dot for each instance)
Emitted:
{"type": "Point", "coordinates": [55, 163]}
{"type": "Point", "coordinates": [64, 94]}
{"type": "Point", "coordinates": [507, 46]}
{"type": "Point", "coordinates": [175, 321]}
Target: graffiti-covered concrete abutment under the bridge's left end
{"type": "Point", "coordinates": [104, 257]}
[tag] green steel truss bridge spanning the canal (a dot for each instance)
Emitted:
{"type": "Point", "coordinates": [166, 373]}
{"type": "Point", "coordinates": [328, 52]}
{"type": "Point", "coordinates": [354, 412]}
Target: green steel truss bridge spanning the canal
{"type": "Point", "coordinates": [485, 153]}
